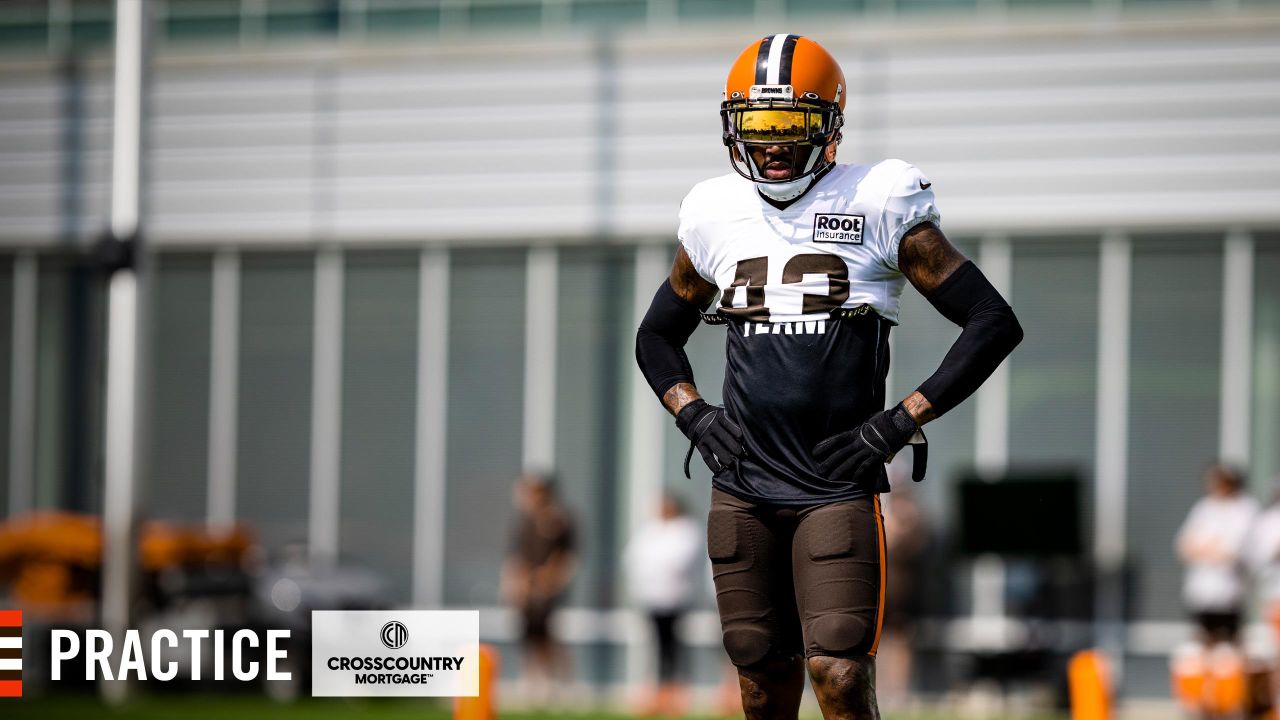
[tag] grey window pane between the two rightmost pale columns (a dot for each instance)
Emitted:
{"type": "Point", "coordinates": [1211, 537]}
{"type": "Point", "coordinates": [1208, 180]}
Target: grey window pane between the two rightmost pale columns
{"type": "Point", "coordinates": [1174, 394]}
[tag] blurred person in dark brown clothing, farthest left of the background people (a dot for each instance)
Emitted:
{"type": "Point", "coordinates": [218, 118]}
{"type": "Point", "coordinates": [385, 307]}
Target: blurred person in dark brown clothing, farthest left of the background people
{"type": "Point", "coordinates": [541, 564]}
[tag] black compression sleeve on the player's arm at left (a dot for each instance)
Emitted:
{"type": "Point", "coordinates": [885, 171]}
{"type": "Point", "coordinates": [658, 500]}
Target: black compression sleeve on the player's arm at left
{"type": "Point", "coordinates": [661, 340]}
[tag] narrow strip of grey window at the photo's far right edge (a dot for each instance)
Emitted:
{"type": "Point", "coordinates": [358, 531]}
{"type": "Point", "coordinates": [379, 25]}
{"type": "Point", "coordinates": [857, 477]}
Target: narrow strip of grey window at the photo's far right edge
{"type": "Point", "coordinates": [1265, 467]}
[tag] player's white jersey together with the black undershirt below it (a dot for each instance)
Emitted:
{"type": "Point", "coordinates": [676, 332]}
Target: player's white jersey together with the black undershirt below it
{"type": "Point", "coordinates": [797, 371]}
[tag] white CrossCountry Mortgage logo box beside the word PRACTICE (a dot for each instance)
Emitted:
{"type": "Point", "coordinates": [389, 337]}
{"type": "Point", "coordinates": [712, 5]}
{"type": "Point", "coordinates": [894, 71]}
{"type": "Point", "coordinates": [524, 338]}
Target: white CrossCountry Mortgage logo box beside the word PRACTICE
{"type": "Point", "coordinates": [395, 654]}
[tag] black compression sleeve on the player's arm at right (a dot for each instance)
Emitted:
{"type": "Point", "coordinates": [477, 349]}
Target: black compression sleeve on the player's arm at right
{"type": "Point", "coordinates": [990, 335]}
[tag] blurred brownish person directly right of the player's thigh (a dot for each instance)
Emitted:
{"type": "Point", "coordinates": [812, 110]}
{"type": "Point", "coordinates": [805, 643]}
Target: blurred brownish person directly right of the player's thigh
{"type": "Point", "coordinates": [907, 536]}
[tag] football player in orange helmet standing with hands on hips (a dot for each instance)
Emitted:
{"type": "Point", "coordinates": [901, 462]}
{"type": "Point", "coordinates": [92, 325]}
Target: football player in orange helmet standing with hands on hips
{"type": "Point", "coordinates": [810, 258]}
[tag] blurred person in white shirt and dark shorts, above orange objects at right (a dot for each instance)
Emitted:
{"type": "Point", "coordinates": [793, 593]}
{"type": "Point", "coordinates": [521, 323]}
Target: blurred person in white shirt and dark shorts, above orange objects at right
{"type": "Point", "coordinates": [1212, 545]}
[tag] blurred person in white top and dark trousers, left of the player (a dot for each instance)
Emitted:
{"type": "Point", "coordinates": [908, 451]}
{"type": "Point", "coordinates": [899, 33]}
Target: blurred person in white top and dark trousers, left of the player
{"type": "Point", "coordinates": [662, 562]}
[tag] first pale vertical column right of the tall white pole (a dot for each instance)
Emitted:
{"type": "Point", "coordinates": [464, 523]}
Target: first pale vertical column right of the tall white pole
{"type": "Point", "coordinates": [223, 389]}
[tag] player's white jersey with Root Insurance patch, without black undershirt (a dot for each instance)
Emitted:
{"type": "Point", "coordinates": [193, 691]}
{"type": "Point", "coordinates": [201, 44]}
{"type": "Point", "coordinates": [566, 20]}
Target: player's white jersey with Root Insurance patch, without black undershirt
{"type": "Point", "coordinates": [836, 247]}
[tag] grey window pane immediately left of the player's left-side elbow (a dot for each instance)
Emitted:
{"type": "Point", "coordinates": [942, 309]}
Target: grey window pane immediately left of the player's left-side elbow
{"type": "Point", "coordinates": [593, 348]}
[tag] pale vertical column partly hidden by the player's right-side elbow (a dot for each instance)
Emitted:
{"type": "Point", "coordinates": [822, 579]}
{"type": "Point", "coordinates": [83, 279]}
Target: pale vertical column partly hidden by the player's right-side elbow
{"type": "Point", "coordinates": [991, 434]}
